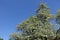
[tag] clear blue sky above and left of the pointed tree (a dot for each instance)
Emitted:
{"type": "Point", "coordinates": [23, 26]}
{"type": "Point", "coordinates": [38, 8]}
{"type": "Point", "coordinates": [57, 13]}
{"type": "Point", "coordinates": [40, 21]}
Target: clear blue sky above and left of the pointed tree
{"type": "Point", "coordinates": [13, 12]}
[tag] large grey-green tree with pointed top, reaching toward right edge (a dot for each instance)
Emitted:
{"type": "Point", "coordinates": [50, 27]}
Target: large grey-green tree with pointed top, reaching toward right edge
{"type": "Point", "coordinates": [38, 27]}
